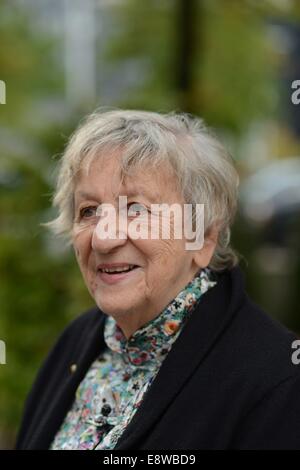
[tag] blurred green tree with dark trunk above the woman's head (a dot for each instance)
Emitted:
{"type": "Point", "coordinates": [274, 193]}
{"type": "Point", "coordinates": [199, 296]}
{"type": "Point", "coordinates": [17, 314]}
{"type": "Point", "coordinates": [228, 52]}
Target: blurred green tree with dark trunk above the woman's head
{"type": "Point", "coordinates": [206, 57]}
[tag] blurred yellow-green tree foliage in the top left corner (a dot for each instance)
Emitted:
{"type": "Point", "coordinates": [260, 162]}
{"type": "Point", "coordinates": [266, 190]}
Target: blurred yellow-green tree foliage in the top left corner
{"type": "Point", "coordinates": [26, 63]}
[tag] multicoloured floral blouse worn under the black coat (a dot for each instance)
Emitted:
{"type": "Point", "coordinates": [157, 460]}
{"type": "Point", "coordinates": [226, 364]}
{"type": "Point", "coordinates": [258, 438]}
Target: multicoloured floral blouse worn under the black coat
{"type": "Point", "coordinates": [114, 386]}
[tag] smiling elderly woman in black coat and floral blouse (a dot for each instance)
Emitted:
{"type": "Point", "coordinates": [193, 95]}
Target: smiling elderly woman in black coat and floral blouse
{"type": "Point", "coordinates": [174, 355]}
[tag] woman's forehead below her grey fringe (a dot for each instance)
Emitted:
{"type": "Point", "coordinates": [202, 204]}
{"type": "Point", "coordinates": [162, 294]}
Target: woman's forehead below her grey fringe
{"type": "Point", "coordinates": [103, 178]}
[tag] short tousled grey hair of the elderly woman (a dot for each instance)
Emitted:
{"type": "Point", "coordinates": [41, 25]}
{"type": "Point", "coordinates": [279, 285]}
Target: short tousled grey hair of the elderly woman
{"type": "Point", "coordinates": [203, 169]}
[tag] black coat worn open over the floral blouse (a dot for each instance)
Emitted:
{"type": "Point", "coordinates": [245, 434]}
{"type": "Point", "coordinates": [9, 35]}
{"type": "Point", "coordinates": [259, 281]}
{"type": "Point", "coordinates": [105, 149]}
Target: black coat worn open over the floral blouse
{"type": "Point", "coordinates": [227, 383]}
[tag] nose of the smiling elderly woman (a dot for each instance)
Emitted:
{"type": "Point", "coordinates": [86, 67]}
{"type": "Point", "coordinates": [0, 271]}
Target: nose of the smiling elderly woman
{"type": "Point", "coordinates": [109, 233]}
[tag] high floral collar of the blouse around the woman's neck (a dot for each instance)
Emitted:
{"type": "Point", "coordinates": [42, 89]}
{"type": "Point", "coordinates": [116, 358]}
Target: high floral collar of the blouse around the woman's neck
{"type": "Point", "coordinates": [149, 345]}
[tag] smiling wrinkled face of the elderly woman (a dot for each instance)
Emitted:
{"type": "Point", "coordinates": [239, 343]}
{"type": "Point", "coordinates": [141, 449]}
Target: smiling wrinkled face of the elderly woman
{"type": "Point", "coordinates": [164, 266]}
